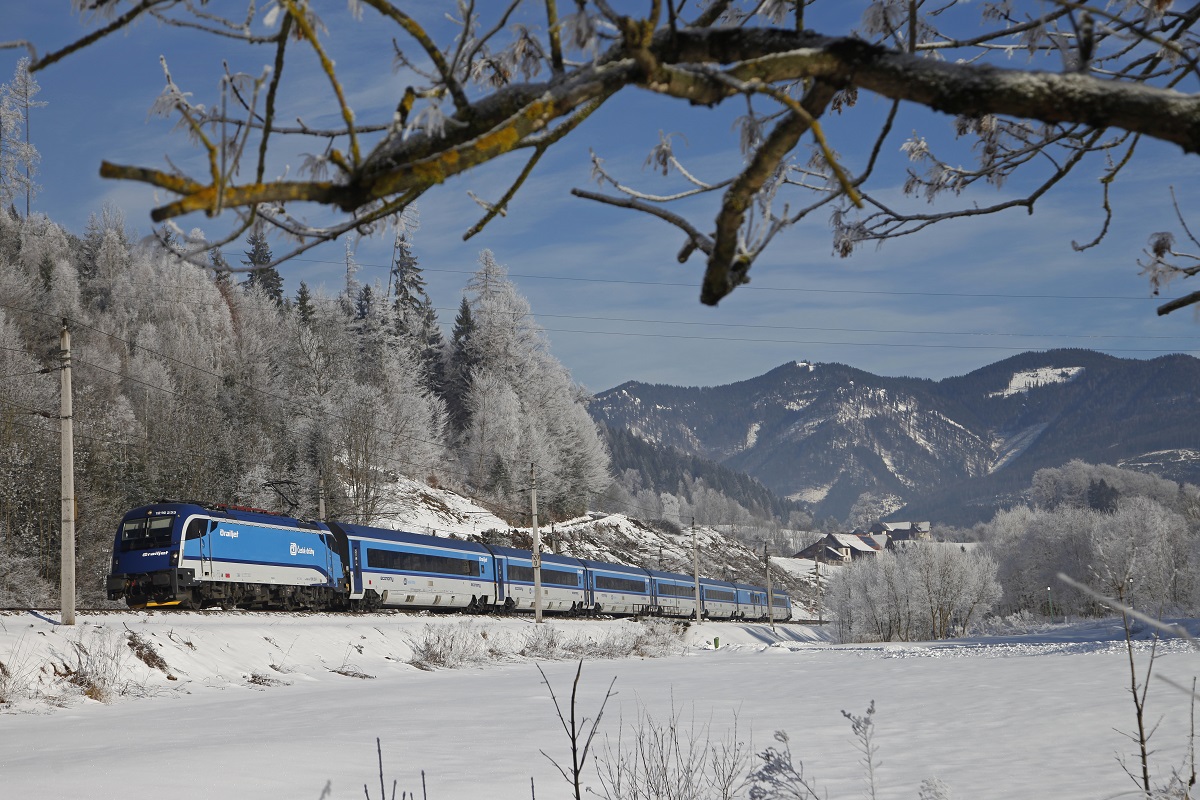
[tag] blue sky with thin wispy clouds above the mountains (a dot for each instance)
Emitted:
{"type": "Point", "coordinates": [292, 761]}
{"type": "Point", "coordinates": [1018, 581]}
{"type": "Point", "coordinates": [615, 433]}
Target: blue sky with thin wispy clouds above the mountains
{"type": "Point", "coordinates": [605, 282]}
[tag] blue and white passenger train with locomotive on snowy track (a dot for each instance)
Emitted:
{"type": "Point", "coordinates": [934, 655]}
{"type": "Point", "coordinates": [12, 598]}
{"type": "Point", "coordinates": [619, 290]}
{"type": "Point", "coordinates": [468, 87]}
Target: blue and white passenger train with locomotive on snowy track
{"type": "Point", "coordinates": [201, 556]}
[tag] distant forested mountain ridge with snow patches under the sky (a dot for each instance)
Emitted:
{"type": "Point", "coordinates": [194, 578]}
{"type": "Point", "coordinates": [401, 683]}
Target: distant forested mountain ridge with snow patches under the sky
{"type": "Point", "coordinates": [826, 434]}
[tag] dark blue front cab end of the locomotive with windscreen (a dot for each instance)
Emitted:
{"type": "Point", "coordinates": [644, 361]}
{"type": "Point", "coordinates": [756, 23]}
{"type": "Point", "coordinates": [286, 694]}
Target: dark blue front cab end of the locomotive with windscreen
{"type": "Point", "coordinates": [146, 558]}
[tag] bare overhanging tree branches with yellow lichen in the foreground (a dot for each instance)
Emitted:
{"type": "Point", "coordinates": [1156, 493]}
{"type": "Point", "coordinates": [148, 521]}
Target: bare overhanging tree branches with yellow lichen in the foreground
{"type": "Point", "coordinates": [1037, 89]}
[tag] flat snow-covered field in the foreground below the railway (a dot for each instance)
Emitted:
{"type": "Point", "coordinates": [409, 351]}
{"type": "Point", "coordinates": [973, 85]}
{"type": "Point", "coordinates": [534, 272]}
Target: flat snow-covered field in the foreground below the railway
{"type": "Point", "coordinates": [278, 706]}
